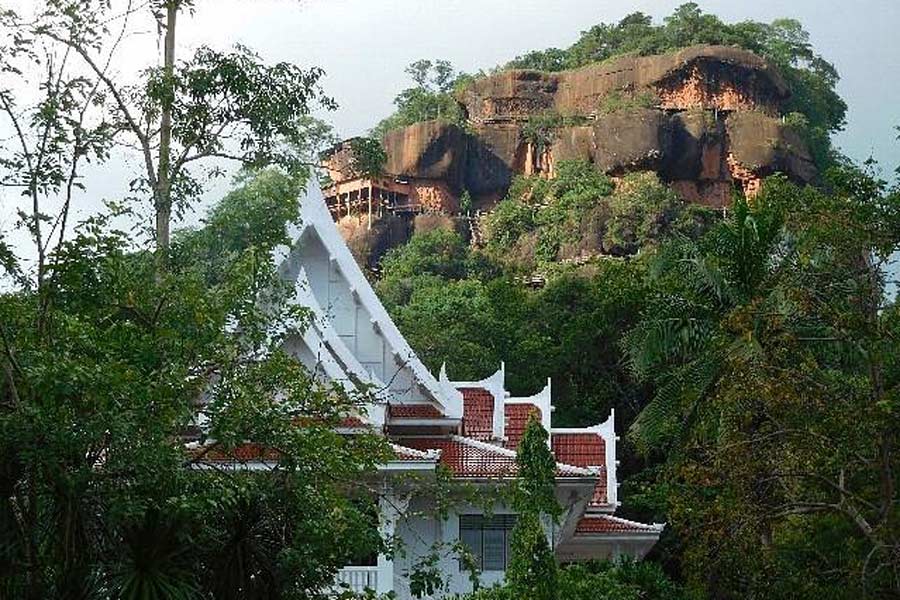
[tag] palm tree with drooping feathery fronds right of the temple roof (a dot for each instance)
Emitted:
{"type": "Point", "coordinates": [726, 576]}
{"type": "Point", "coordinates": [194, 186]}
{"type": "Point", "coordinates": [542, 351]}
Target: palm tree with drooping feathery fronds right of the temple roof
{"type": "Point", "coordinates": [688, 332]}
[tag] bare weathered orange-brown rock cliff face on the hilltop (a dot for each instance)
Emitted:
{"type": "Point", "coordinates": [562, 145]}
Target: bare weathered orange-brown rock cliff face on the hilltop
{"type": "Point", "coordinates": [705, 119]}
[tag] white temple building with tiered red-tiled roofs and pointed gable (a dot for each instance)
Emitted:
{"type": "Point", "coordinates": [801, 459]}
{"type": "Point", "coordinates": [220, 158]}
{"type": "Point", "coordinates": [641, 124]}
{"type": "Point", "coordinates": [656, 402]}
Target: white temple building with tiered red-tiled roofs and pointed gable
{"type": "Point", "coordinates": [470, 428]}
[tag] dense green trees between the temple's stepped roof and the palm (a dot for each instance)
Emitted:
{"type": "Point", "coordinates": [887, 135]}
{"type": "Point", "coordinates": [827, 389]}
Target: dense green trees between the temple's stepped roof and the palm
{"type": "Point", "coordinates": [463, 310]}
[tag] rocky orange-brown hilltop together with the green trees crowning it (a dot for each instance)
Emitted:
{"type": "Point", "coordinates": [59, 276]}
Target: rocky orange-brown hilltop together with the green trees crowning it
{"type": "Point", "coordinates": [706, 107]}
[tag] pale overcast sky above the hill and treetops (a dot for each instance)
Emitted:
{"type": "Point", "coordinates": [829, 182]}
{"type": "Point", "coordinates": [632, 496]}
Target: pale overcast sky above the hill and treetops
{"type": "Point", "coordinates": [364, 45]}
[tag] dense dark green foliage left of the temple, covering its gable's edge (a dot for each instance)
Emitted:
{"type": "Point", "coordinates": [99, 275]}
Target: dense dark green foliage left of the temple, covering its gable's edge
{"type": "Point", "coordinates": [101, 378]}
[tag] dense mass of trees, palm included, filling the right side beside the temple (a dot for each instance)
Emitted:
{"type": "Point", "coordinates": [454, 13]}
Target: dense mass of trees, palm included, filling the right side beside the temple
{"type": "Point", "coordinates": [773, 355]}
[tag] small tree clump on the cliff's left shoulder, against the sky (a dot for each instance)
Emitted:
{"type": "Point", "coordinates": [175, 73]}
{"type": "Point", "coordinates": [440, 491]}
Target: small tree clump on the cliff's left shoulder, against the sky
{"type": "Point", "coordinates": [431, 98]}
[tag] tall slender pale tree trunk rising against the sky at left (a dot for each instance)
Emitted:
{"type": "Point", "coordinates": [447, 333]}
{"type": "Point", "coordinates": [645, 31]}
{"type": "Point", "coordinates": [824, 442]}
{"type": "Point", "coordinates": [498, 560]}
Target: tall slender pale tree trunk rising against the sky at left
{"type": "Point", "coordinates": [163, 192]}
